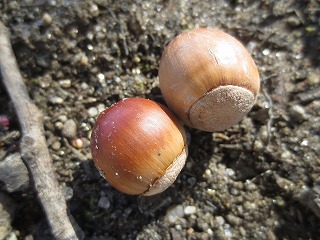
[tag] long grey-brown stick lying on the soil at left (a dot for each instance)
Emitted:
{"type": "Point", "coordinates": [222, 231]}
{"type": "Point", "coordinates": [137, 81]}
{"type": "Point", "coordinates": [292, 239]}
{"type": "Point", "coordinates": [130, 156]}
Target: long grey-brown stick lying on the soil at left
{"type": "Point", "coordinates": [33, 146]}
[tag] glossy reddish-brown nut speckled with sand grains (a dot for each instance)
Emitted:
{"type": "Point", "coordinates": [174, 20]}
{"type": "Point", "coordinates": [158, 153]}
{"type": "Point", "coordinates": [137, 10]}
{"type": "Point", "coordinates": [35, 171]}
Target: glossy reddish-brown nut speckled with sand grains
{"type": "Point", "coordinates": [138, 146]}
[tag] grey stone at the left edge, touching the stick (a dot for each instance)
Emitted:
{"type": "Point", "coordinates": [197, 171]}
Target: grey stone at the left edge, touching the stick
{"type": "Point", "coordinates": [13, 173]}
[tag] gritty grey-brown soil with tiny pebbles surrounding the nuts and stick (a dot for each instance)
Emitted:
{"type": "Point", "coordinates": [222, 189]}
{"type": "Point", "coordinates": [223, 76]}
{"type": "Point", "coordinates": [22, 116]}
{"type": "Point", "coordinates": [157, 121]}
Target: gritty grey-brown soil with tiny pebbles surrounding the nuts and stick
{"type": "Point", "coordinates": [257, 180]}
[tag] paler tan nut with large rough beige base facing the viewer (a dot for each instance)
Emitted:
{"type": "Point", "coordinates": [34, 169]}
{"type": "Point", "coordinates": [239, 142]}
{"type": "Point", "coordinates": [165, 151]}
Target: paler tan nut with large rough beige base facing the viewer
{"type": "Point", "coordinates": [208, 79]}
